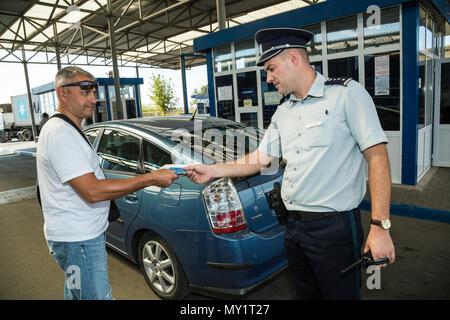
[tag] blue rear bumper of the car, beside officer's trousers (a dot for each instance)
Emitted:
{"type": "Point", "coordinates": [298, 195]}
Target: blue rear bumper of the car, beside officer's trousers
{"type": "Point", "coordinates": [236, 263]}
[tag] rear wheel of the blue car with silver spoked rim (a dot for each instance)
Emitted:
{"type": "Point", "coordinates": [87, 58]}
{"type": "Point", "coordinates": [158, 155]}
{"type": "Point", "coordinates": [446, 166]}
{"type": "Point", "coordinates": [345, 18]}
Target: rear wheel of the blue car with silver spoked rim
{"type": "Point", "coordinates": [161, 268]}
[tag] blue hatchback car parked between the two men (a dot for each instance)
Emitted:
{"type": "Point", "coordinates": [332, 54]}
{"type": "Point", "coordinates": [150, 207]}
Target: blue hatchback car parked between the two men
{"type": "Point", "coordinates": [218, 238]}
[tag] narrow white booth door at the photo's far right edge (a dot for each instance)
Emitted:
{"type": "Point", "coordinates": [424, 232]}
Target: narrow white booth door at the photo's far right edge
{"type": "Point", "coordinates": [441, 134]}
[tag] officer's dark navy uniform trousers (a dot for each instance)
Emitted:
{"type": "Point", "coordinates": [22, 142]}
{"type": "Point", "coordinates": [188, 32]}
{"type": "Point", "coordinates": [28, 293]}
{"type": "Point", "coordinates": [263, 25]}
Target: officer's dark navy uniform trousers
{"type": "Point", "coordinates": [318, 250]}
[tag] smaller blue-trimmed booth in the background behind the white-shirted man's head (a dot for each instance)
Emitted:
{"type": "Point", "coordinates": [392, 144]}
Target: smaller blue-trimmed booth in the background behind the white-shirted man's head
{"type": "Point", "coordinates": [106, 108]}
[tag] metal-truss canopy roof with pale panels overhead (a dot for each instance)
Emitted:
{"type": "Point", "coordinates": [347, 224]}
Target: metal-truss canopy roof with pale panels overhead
{"type": "Point", "coordinates": [148, 32]}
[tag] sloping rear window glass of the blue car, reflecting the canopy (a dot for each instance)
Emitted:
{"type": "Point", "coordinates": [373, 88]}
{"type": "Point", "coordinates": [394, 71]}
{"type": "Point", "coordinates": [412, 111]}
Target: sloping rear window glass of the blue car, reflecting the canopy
{"type": "Point", "coordinates": [218, 144]}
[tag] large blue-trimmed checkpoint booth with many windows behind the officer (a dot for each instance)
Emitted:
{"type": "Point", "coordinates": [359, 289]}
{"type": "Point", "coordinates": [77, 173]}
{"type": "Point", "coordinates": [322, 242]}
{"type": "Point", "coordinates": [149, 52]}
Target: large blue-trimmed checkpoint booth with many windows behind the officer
{"type": "Point", "coordinates": [399, 50]}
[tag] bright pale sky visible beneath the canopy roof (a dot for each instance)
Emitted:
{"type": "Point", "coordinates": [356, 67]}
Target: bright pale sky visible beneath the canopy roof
{"type": "Point", "coordinates": [12, 80]}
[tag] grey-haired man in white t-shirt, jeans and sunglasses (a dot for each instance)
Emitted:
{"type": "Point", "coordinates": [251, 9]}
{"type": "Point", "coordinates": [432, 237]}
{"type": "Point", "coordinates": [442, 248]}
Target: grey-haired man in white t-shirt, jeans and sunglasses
{"type": "Point", "coordinates": [74, 192]}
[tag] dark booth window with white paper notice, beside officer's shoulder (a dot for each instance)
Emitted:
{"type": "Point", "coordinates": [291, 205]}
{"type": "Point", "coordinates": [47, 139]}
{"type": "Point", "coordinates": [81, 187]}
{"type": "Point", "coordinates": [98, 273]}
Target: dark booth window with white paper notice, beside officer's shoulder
{"type": "Point", "coordinates": [382, 82]}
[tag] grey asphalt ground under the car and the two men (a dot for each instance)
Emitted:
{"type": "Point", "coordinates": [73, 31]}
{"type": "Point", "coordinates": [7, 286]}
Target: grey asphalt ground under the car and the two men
{"type": "Point", "coordinates": [27, 271]}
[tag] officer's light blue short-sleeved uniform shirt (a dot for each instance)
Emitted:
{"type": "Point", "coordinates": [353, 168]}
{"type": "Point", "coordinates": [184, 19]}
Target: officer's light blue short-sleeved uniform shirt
{"type": "Point", "coordinates": [322, 138]}
